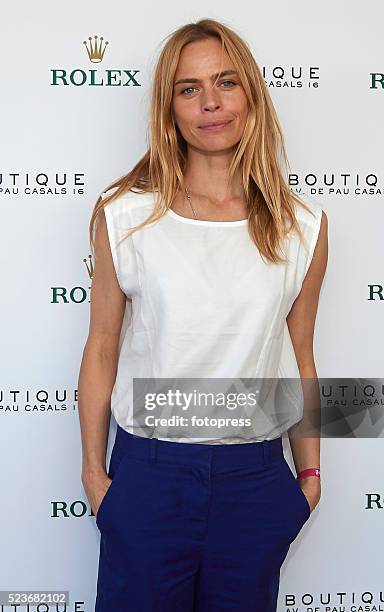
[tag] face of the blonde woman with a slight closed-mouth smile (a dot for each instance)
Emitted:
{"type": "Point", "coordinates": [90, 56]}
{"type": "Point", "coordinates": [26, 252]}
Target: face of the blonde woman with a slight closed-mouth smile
{"type": "Point", "coordinates": [197, 101]}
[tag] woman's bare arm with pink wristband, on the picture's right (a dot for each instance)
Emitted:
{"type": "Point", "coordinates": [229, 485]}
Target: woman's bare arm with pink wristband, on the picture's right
{"type": "Point", "coordinates": [301, 324]}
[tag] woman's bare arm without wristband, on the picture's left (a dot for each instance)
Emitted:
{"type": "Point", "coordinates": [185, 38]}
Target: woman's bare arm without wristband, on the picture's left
{"type": "Point", "coordinates": [98, 367]}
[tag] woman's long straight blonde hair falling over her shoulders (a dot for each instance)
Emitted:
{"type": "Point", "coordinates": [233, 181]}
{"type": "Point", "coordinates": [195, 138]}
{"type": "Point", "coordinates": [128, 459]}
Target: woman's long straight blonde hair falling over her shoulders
{"type": "Point", "coordinates": [270, 201]}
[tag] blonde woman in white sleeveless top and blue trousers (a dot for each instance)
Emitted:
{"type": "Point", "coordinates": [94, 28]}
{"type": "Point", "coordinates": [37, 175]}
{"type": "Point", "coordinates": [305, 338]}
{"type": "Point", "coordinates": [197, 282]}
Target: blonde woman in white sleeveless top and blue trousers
{"type": "Point", "coordinates": [207, 266]}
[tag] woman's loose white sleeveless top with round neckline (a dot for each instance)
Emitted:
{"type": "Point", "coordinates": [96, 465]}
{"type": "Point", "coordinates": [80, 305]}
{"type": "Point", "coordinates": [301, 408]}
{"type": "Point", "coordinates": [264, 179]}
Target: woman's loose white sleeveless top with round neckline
{"type": "Point", "coordinates": [202, 303]}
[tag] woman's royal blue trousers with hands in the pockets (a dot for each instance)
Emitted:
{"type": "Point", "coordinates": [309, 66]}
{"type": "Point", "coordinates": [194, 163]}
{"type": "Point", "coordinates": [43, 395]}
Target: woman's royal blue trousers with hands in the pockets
{"type": "Point", "coordinates": [195, 527]}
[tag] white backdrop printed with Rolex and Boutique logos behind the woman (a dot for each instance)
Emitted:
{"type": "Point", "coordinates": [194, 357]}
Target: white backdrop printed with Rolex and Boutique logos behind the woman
{"type": "Point", "coordinates": [68, 129]}
